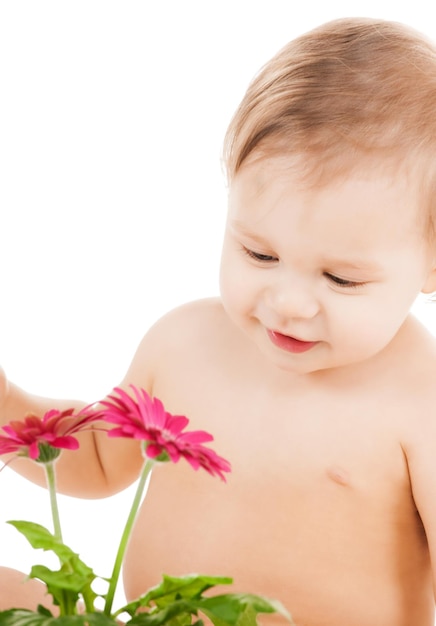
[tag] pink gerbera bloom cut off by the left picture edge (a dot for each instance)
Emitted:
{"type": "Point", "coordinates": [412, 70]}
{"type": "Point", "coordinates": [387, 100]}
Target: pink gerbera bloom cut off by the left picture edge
{"type": "Point", "coordinates": [55, 429]}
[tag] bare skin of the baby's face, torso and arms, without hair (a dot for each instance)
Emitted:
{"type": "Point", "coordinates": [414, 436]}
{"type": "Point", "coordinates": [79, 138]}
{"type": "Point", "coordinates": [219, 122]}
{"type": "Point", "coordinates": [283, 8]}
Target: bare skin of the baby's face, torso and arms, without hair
{"type": "Point", "coordinates": [329, 505]}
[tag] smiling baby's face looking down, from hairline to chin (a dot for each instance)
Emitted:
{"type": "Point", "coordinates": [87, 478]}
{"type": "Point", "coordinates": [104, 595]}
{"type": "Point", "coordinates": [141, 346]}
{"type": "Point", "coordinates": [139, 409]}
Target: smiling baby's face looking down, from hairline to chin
{"type": "Point", "coordinates": [325, 277]}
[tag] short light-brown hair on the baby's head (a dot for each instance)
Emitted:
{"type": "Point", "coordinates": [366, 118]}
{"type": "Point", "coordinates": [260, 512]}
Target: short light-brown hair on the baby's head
{"type": "Point", "coordinates": [351, 90]}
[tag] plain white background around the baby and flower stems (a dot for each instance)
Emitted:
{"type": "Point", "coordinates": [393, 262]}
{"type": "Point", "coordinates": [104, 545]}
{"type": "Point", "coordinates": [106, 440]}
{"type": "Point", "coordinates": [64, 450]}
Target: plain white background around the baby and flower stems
{"type": "Point", "coordinates": [112, 198]}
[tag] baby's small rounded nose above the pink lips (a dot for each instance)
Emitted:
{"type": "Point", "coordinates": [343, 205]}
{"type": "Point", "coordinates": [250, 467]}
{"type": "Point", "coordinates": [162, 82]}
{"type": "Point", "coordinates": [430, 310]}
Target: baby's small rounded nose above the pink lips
{"type": "Point", "coordinates": [291, 297]}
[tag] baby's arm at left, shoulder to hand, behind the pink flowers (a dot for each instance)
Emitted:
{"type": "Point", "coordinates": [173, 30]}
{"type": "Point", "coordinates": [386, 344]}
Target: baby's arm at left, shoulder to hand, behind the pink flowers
{"type": "Point", "coordinates": [103, 466]}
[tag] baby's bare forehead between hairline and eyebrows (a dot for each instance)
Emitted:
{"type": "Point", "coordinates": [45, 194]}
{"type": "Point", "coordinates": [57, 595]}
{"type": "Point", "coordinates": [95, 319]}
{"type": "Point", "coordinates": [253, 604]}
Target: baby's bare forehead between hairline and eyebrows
{"type": "Point", "coordinates": [376, 193]}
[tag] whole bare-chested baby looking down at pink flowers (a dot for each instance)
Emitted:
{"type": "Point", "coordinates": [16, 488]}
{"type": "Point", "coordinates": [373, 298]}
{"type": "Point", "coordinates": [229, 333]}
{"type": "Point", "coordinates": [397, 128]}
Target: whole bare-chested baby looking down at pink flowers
{"type": "Point", "coordinates": [316, 382]}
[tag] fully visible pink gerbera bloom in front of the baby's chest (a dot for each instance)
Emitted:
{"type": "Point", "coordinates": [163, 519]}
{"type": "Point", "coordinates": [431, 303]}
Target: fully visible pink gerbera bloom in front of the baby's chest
{"type": "Point", "coordinates": [146, 419]}
